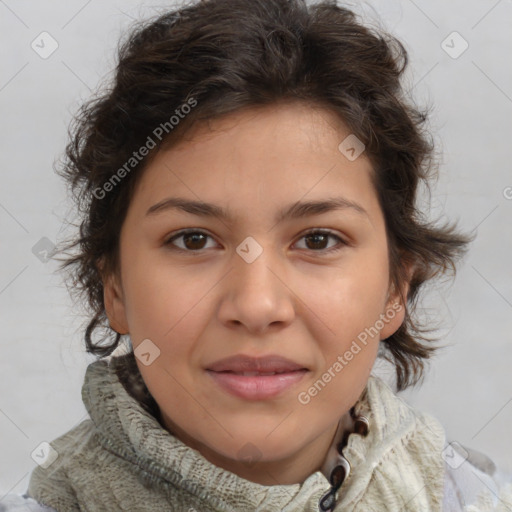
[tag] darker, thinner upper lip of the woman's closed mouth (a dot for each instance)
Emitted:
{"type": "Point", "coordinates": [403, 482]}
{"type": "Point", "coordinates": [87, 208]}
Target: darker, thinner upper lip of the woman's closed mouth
{"type": "Point", "coordinates": [244, 363]}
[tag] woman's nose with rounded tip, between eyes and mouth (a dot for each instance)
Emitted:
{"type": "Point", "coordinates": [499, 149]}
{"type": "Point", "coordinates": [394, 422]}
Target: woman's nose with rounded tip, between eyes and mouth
{"type": "Point", "coordinates": [257, 295]}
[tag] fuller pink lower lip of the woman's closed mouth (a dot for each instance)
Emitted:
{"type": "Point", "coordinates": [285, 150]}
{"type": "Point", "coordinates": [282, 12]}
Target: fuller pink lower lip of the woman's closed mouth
{"type": "Point", "coordinates": [256, 387]}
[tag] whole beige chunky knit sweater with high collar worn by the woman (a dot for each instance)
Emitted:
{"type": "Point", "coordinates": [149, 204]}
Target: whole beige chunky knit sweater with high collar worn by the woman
{"type": "Point", "coordinates": [122, 459]}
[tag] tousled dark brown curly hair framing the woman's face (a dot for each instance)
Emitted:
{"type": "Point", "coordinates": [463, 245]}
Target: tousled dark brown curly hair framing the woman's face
{"type": "Point", "coordinates": [226, 55]}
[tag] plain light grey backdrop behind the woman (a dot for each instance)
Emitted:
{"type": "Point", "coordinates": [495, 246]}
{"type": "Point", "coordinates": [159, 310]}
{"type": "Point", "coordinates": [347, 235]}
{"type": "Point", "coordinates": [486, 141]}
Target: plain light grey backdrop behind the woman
{"type": "Point", "coordinates": [42, 360]}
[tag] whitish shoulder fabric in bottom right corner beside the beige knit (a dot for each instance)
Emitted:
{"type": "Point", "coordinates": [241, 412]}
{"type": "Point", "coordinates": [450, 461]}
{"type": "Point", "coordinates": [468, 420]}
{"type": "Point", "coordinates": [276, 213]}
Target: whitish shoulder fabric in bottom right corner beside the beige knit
{"type": "Point", "coordinates": [473, 483]}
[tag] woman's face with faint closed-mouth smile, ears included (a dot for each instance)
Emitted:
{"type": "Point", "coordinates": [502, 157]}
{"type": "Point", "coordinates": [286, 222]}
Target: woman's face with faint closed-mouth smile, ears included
{"type": "Point", "coordinates": [256, 282]}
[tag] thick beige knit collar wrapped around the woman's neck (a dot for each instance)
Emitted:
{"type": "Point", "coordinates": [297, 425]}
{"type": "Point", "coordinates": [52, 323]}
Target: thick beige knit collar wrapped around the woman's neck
{"type": "Point", "coordinates": [128, 429]}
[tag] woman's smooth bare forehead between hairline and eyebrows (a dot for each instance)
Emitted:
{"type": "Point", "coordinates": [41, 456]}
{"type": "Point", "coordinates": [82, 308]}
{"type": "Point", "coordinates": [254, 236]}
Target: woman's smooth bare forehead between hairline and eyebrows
{"type": "Point", "coordinates": [258, 159]}
